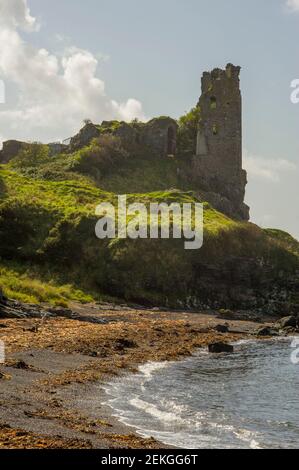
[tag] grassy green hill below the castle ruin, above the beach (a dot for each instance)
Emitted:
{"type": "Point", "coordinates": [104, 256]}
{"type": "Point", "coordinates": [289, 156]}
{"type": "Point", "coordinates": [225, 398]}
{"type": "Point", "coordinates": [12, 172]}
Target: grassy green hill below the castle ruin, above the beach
{"type": "Point", "coordinates": [49, 251]}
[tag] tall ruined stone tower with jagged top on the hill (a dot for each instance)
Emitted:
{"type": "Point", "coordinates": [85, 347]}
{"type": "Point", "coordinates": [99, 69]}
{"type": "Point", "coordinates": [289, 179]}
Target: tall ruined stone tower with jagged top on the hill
{"type": "Point", "coordinates": [217, 165]}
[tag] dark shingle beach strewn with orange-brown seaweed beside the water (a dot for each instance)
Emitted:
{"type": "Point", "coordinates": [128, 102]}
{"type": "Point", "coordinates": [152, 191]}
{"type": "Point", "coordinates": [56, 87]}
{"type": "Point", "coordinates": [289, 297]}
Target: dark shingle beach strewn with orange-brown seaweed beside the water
{"type": "Point", "coordinates": [54, 370]}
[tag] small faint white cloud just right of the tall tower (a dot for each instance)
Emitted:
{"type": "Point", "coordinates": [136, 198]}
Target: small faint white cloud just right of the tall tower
{"type": "Point", "coordinates": [266, 169]}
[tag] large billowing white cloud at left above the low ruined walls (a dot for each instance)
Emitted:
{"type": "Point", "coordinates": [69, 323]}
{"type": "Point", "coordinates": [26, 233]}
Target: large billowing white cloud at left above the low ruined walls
{"type": "Point", "coordinates": [54, 93]}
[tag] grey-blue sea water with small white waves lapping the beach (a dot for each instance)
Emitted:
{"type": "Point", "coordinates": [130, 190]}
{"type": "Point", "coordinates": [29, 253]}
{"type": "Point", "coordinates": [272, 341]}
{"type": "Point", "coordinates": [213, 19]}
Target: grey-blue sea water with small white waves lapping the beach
{"type": "Point", "coordinates": [248, 399]}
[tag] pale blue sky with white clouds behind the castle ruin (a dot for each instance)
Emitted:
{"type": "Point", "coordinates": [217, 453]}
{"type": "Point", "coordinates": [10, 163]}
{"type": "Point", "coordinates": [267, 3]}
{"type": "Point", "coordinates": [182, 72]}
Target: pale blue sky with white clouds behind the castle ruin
{"type": "Point", "coordinates": [146, 59]}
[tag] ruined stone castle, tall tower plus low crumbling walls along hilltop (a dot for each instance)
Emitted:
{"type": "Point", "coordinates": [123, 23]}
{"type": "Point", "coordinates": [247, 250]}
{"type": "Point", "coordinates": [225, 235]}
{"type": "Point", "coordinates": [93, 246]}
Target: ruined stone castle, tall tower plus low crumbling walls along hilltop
{"type": "Point", "coordinates": [214, 169]}
